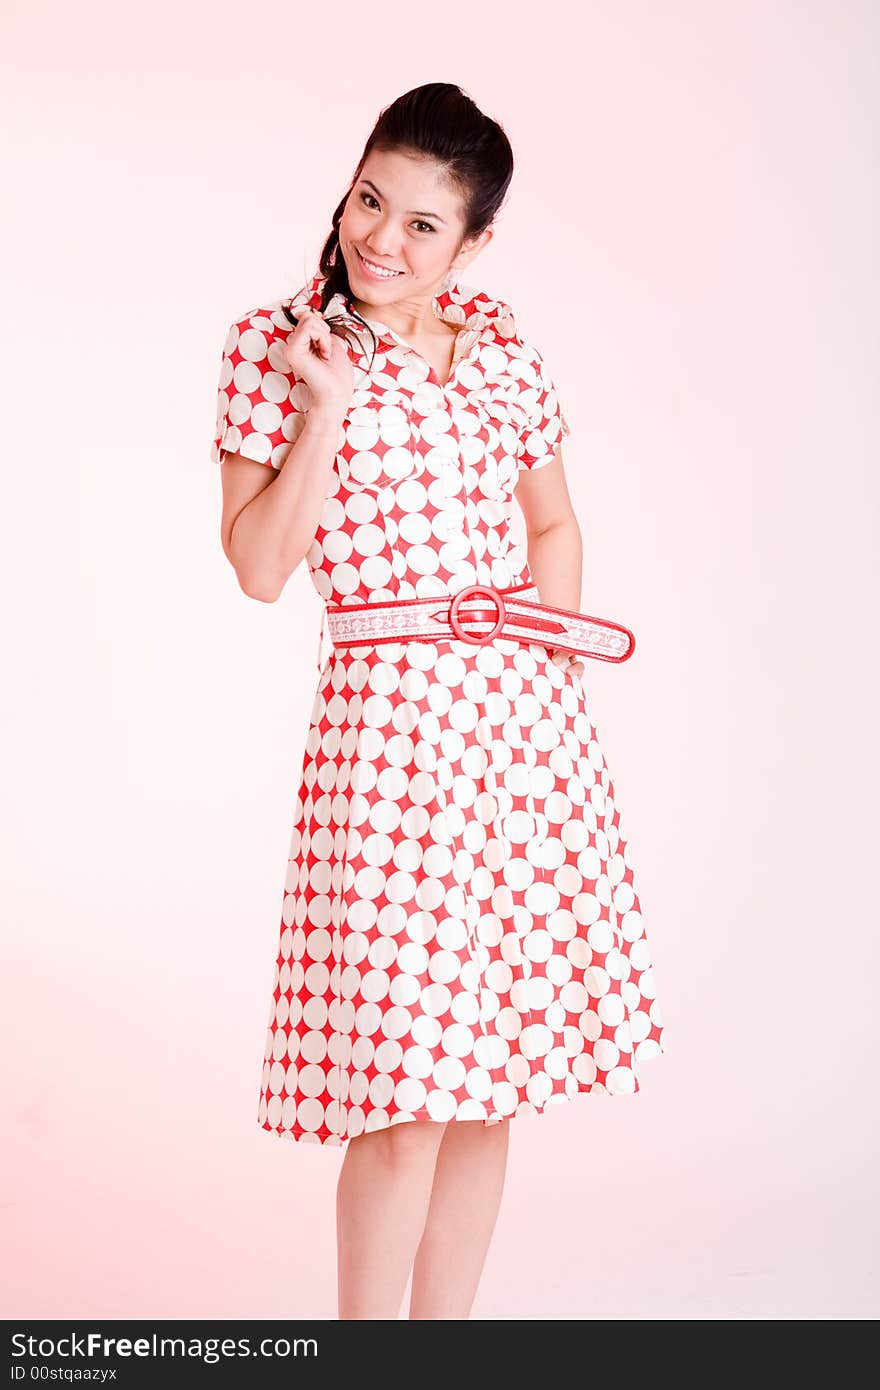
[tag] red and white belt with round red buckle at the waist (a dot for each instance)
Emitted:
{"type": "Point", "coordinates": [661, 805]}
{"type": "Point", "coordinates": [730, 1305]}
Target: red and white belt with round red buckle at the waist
{"type": "Point", "coordinates": [462, 616]}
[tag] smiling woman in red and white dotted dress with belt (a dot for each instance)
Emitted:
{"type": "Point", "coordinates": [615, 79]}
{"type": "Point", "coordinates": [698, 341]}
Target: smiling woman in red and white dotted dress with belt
{"type": "Point", "coordinates": [461, 938]}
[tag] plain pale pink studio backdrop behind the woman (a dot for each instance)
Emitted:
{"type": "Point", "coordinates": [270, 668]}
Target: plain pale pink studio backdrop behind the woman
{"type": "Point", "coordinates": [699, 187]}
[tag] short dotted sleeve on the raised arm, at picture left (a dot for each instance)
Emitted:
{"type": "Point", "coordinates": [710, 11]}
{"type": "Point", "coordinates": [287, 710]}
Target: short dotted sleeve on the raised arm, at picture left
{"type": "Point", "coordinates": [261, 402]}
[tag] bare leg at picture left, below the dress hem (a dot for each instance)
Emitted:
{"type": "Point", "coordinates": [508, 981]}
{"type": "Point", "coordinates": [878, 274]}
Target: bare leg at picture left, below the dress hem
{"type": "Point", "coordinates": [383, 1199]}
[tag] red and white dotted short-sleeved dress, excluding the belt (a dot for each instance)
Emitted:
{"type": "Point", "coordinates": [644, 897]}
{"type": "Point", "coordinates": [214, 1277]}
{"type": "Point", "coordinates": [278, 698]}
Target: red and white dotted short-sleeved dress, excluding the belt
{"type": "Point", "coordinates": [461, 932]}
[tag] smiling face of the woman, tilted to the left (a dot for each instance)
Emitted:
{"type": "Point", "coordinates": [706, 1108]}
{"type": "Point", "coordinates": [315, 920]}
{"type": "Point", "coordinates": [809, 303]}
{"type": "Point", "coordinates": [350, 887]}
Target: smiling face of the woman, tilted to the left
{"type": "Point", "coordinates": [401, 215]}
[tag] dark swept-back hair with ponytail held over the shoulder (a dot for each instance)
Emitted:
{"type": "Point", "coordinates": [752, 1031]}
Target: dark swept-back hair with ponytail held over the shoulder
{"type": "Point", "coordinates": [437, 122]}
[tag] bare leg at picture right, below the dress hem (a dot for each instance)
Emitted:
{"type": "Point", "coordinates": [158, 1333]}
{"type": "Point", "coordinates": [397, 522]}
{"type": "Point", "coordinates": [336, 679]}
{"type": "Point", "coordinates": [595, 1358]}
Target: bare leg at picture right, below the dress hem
{"type": "Point", "coordinates": [468, 1188]}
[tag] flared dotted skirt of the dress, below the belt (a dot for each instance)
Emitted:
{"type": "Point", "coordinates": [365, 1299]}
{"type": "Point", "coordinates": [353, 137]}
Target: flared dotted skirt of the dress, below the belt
{"type": "Point", "coordinates": [462, 935]}
